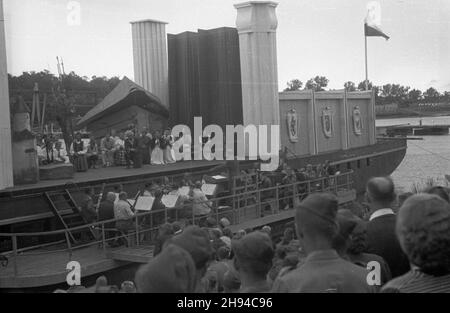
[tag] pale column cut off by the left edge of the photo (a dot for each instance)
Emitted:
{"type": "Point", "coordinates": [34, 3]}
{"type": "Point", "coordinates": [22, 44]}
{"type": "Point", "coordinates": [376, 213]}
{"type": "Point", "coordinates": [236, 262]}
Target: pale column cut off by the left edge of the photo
{"type": "Point", "coordinates": [6, 167]}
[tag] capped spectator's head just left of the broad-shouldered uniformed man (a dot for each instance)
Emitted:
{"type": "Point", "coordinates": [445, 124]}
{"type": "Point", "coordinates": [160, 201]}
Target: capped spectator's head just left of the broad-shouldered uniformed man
{"type": "Point", "coordinates": [253, 255]}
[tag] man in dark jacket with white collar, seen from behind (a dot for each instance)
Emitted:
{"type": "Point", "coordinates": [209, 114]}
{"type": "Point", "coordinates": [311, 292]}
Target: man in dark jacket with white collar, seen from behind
{"type": "Point", "coordinates": [381, 237]}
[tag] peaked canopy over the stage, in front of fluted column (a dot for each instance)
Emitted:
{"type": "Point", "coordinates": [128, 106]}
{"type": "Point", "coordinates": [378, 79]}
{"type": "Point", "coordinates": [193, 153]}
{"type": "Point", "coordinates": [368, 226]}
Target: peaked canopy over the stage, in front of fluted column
{"type": "Point", "coordinates": [127, 103]}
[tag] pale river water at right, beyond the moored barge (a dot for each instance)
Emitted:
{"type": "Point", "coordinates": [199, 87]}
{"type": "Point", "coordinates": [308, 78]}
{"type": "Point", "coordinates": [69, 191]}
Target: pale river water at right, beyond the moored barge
{"type": "Point", "coordinates": [425, 159]}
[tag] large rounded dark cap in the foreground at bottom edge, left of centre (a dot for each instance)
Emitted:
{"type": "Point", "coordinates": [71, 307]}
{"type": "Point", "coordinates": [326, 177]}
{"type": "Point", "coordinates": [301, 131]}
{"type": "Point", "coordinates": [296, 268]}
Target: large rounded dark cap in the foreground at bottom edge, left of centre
{"type": "Point", "coordinates": [171, 271]}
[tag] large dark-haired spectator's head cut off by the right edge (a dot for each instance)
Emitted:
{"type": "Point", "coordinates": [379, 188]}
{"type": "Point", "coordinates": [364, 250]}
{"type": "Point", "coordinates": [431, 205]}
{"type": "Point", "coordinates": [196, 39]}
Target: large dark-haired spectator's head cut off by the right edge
{"type": "Point", "coordinates": [423, 229]}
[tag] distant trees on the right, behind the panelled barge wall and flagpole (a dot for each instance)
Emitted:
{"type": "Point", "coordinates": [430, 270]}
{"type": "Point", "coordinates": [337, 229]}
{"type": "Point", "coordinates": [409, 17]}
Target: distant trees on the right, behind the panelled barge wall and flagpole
{"type": "Point", "coordinates": [385, 94]}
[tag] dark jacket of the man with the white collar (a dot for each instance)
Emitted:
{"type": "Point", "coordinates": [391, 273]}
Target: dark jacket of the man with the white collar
{"type": "Point", "coordinates": [382, 241]}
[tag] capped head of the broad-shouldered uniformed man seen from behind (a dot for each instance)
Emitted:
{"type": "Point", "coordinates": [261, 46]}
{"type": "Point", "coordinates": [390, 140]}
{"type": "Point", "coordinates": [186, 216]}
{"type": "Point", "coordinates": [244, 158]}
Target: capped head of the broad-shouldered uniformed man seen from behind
{"type": "Point", "coordinates": [316, 221]}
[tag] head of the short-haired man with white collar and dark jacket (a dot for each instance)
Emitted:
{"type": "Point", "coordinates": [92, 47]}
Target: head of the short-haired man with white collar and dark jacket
{"type": "Point", "coordinates": [380, 193]}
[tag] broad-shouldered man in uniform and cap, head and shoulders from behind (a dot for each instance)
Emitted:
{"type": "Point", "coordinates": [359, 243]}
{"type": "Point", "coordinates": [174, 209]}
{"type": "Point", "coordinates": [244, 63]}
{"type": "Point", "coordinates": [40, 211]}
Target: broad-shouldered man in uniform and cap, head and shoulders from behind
{"type": "Point", "coordinates": [322, 270]}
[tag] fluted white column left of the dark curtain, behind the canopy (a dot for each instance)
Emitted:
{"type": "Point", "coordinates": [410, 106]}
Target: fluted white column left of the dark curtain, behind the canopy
{"type": "Point", "coordinates": [150, 57]}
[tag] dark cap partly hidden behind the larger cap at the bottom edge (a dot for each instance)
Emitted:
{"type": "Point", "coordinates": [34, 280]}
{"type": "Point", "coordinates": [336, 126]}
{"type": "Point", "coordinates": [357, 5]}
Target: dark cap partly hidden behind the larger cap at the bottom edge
{"type": "Point", "coordinates": [195, 241]}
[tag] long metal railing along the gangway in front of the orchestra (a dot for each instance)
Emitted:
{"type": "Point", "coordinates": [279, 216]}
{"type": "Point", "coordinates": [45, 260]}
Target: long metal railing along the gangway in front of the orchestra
{"type": "Point", "coordinates": [238, 207]}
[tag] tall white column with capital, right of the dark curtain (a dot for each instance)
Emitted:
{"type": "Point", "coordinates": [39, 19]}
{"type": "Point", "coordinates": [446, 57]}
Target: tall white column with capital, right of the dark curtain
{"type": "Point", "coordinates": [256, 24]}
